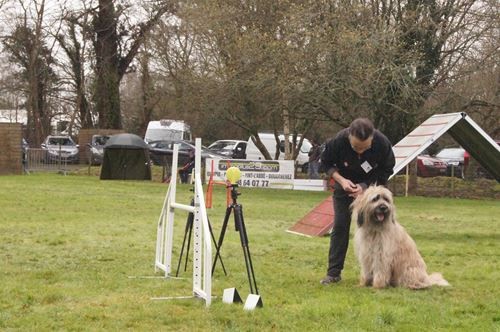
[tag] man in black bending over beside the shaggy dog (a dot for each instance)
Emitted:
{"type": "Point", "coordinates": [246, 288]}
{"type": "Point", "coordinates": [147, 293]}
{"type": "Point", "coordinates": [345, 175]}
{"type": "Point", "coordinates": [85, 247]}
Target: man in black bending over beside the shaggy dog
{"type": "Point", "coordinates": [357, 157]}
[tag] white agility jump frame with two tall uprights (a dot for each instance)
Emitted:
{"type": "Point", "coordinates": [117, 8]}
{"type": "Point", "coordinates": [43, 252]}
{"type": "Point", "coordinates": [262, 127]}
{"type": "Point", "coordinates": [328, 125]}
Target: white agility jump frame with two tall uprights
{"type": "Point", "coordinates": [202, 251]}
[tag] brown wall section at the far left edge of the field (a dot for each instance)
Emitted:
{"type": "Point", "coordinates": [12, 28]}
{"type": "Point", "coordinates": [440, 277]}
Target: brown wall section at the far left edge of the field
{"type": "Point", "coordinates": [11, 148]}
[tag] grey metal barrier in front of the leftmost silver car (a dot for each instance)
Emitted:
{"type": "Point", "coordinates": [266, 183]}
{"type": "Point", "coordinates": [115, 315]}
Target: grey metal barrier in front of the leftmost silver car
{"type": "Point", "coordinates": [39, 160]}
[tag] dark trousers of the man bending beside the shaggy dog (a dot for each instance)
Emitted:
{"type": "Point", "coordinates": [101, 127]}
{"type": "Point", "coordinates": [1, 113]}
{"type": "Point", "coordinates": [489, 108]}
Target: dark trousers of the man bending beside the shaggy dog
{"type": "Point", "coordinates": [339, 238]}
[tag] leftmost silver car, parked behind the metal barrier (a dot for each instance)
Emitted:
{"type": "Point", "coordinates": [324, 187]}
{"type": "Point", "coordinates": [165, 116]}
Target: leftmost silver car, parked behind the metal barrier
{"type": "Point", "coordinates": [60, 148]}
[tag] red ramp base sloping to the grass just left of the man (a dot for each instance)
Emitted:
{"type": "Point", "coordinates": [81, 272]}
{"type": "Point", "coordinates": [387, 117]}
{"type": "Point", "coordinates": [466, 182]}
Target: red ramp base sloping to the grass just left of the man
{"type": "Point", "coordinates": [318, 222]}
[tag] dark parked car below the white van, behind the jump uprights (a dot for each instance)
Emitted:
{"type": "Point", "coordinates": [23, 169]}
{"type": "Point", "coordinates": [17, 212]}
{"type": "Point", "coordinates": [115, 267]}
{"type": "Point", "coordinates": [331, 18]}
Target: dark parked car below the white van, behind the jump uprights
{"type": "Point", "coordinates": [161, 152]}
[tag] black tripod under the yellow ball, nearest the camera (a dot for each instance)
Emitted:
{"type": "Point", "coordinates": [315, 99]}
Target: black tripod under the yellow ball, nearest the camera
{"type": "Point", "coordinates": [240, 227]}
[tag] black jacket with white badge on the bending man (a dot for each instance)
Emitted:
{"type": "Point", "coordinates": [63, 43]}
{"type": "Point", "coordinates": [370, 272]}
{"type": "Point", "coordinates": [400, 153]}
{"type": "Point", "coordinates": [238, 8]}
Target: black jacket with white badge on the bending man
{"type": "Point", "coordinates": [378, 161]}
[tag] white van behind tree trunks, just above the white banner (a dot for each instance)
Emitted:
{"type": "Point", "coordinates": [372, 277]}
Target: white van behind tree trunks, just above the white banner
{"type": "Point", "coordinates": [253, 153]}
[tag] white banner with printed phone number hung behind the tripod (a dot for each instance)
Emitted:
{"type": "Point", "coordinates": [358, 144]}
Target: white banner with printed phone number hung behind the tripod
{"type": "Point", "coordinates": [276, 174]}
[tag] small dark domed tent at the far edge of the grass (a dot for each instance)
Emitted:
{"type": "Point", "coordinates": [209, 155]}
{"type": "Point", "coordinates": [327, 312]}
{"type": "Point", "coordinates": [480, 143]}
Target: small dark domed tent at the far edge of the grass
{"type": "Point", "coordinates": [126, 157]}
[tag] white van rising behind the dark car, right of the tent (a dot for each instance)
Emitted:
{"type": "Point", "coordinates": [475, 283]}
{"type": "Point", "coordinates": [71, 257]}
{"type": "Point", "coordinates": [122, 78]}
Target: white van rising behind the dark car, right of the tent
{"type": "Point", "coordinates": [167, 130]}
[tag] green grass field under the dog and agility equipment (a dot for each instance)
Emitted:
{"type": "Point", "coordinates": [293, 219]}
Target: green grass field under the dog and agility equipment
{"type": "Point", "coordinates": [68, 245]}
